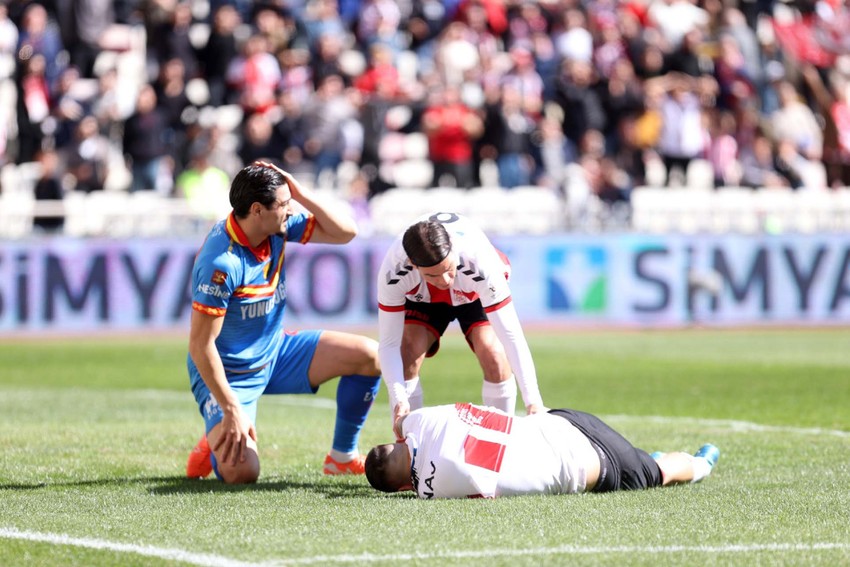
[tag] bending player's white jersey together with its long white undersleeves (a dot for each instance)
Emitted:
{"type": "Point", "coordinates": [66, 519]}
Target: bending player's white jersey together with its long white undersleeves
{"type": "Point", "coordinates": [482, 274]}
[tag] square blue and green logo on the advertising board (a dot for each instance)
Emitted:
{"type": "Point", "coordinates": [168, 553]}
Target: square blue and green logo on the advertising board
{"type": "Point", "coordinates": [577, 279]}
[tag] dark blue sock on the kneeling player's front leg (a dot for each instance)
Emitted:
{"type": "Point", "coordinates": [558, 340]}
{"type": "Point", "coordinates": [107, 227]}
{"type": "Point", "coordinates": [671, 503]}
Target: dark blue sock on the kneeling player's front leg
{"type": "Point", "coordinates": [354, 396]}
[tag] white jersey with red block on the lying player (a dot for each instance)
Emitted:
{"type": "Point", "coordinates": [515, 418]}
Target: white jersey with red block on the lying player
{"type": "Point", "coordinates": [470, 451]}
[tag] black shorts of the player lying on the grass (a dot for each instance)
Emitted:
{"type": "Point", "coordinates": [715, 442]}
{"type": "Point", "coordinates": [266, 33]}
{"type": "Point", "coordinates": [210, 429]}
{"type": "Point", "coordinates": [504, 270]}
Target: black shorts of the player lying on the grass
{"type": "Point", "coordinates": [622, 465]}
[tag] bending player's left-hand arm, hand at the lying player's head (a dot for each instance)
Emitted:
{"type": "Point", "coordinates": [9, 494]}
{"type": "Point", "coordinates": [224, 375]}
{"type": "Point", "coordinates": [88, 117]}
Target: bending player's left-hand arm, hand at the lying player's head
{"type": "Point", "coordinates": [390, 331]}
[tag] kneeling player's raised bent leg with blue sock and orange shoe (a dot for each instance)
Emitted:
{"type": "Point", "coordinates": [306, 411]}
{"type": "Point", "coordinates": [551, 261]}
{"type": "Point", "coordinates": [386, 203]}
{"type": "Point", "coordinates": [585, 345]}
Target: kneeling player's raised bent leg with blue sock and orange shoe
{"type": "Point", "coordinates": [354, 359]}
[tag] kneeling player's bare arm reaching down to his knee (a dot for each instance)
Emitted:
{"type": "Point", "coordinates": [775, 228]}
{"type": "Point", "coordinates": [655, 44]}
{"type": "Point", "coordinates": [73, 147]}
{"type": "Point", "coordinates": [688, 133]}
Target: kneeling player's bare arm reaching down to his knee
{"type": "Point", "coordinates": [235, 425]}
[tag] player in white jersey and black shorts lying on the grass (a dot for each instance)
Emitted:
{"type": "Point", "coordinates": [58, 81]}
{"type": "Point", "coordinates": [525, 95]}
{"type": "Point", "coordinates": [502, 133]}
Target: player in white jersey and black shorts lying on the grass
{"type": "Point", "coordinates": [469, 451]}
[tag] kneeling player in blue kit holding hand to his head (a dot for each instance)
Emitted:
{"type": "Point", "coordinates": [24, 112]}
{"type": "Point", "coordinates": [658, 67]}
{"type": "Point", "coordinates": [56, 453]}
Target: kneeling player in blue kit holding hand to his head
{"type": "Point", "coordinates": [238, 349]}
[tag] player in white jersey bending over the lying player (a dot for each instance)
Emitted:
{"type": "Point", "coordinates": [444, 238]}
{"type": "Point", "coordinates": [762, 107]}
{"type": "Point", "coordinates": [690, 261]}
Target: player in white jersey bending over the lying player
{"type": "Point", "coordinates": [444, 268]}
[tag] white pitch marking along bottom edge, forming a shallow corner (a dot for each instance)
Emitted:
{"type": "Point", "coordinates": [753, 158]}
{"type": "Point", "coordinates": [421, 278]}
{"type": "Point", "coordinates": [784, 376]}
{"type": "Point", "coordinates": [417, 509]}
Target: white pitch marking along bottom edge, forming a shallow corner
{"type": "Point", "coordinates": [211, 560]}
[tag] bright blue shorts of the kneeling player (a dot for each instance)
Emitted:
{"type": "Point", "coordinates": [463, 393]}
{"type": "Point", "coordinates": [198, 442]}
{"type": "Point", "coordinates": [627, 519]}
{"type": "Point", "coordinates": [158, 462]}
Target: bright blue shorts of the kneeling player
{"type": "Point", "coordinates": [284, 374]}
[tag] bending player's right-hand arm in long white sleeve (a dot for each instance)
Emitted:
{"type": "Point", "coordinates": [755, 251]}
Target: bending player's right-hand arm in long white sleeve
{"type": "Point", "coordinates": [505, 322]}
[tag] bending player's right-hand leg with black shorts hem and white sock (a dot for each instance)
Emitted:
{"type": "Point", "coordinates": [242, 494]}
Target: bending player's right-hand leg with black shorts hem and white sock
{"type": "Point", "coordinates": [499, 387]}
